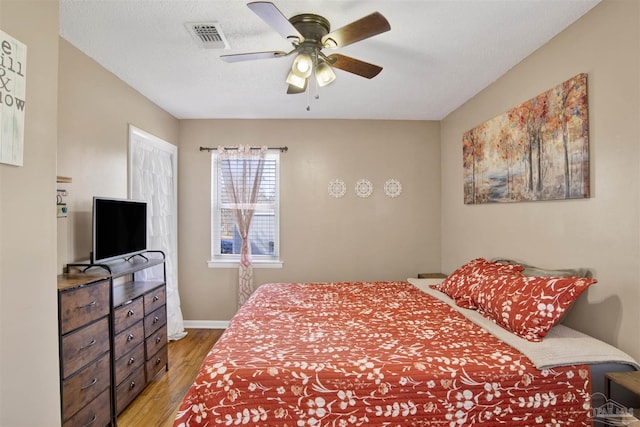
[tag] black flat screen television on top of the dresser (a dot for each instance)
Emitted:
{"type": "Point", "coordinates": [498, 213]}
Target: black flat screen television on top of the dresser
{"type": "Point", "coordinates": [119, 229]}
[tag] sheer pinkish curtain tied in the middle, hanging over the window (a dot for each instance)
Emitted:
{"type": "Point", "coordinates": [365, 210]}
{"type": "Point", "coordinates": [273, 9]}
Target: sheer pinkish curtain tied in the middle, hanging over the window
{"type": "Point", "coordinates": [242, 173]}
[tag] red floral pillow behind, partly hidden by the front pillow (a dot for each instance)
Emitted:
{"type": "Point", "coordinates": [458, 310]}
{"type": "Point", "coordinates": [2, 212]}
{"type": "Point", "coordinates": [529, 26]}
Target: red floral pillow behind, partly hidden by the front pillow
{"type": "Point", "coordinates": [459, 284]}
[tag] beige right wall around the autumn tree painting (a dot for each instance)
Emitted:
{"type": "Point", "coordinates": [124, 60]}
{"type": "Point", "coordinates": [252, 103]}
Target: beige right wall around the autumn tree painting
{"type": "Point", "coordinates": [601, 232]}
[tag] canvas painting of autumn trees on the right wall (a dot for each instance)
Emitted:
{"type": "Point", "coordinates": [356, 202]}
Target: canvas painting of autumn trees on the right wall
{"type": "Point", "coordinates": [538, 150]}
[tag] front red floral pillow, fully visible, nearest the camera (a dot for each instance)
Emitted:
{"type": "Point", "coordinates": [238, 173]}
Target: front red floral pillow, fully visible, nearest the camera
{"type": "Point", "coordinates": [527, 306]}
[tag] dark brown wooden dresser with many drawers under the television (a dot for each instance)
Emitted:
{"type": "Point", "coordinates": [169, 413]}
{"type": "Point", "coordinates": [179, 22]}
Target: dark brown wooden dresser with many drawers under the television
{"type": "Point", "coordinates": [113, 336]}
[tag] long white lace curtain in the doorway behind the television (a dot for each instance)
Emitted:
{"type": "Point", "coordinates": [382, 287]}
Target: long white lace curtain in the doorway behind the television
{"type": "Point", "coordinates": [153, 174]}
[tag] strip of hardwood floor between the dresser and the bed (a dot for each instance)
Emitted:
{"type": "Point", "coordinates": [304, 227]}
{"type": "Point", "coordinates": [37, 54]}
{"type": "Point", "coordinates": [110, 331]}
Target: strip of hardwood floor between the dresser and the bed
{"type": "Point", "coordinates": [158, 404]}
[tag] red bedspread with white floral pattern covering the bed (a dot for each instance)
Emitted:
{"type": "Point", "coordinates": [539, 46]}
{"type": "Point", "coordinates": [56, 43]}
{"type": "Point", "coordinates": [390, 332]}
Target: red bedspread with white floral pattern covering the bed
{"type": "Point", "coordinates": [372, 354]}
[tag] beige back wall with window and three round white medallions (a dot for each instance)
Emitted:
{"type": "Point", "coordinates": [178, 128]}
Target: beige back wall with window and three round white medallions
{"type": "Point", "coordinates": [322, 238]}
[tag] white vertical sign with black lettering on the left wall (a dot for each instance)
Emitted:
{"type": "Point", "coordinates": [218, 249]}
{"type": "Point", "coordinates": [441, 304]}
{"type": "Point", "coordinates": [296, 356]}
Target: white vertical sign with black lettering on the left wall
{"type": "Point", "coordinates": [13, 86]}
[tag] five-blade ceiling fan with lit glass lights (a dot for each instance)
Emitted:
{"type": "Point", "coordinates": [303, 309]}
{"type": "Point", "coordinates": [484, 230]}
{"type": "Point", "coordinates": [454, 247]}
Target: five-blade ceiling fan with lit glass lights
{"type": "Point", "coordinates": [310, 34]}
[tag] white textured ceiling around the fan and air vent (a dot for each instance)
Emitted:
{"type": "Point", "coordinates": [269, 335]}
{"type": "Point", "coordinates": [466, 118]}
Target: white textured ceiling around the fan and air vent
{"type": "Point", "coordinates": [438, 54]}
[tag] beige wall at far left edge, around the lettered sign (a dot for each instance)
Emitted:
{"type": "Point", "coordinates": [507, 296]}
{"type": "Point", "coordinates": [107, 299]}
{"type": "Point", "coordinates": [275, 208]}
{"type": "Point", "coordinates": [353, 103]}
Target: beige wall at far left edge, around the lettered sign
{"type": "Point", "coordinates": [29, 385]}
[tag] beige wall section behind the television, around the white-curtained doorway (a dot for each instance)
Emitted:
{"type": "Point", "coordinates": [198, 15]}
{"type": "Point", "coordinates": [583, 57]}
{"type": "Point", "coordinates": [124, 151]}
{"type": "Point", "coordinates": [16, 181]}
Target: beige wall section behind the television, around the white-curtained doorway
{"type": "Point", "coordinates": [95, 110]}
